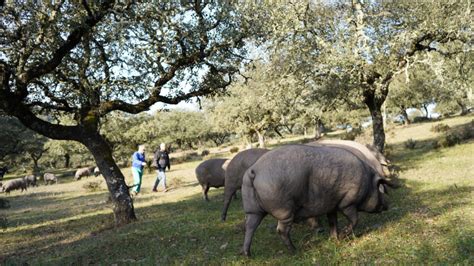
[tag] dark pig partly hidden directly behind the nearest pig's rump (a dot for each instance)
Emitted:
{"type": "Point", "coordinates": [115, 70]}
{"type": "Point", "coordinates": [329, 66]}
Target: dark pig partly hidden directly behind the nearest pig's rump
{"type": "Point", "coordinates": [234, 173]}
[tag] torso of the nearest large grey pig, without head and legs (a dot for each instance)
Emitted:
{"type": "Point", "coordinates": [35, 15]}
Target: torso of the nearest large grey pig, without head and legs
{"type": "Point", "coordinates": [303, 177]}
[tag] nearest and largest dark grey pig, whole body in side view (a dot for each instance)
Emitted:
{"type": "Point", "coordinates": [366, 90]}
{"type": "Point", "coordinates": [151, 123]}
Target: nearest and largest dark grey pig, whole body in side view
{"type": "Point", "coordinates": [297, 182]}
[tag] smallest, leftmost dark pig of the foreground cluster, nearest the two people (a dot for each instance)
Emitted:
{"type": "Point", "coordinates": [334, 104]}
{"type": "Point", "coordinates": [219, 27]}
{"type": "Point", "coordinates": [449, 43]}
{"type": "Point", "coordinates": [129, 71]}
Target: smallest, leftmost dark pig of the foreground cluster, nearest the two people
{"type": "Point", "coordinates": [210, 173]}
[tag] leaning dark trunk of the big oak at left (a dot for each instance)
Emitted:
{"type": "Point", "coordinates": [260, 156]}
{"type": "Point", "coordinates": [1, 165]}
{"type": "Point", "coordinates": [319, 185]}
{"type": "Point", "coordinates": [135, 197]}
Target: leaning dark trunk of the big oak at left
{"type": "Point", "coordinates": [124, 212]}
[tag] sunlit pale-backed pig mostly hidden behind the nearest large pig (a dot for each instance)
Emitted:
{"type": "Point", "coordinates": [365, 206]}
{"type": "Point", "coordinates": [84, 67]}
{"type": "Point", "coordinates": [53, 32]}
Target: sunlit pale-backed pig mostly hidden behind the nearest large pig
{"type": "Point", "coordinates": [375, 159]}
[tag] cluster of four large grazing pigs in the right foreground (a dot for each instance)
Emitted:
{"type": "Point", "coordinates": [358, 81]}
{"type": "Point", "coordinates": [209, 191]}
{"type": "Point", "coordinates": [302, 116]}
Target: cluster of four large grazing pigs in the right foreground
{"type": "Point", "coordinates": [297, 183]}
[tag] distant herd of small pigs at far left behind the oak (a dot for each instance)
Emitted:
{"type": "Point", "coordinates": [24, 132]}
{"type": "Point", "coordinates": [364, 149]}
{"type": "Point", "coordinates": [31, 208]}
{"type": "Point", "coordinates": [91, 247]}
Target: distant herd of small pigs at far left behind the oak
{"type": "Point", "coordinates": [49, 178]}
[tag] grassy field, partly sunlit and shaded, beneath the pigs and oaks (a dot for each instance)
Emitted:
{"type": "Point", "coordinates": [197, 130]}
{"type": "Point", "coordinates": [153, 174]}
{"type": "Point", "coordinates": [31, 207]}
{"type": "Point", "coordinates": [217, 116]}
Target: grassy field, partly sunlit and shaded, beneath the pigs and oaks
{"type": "Point", "coordinates": [430, 221]}
